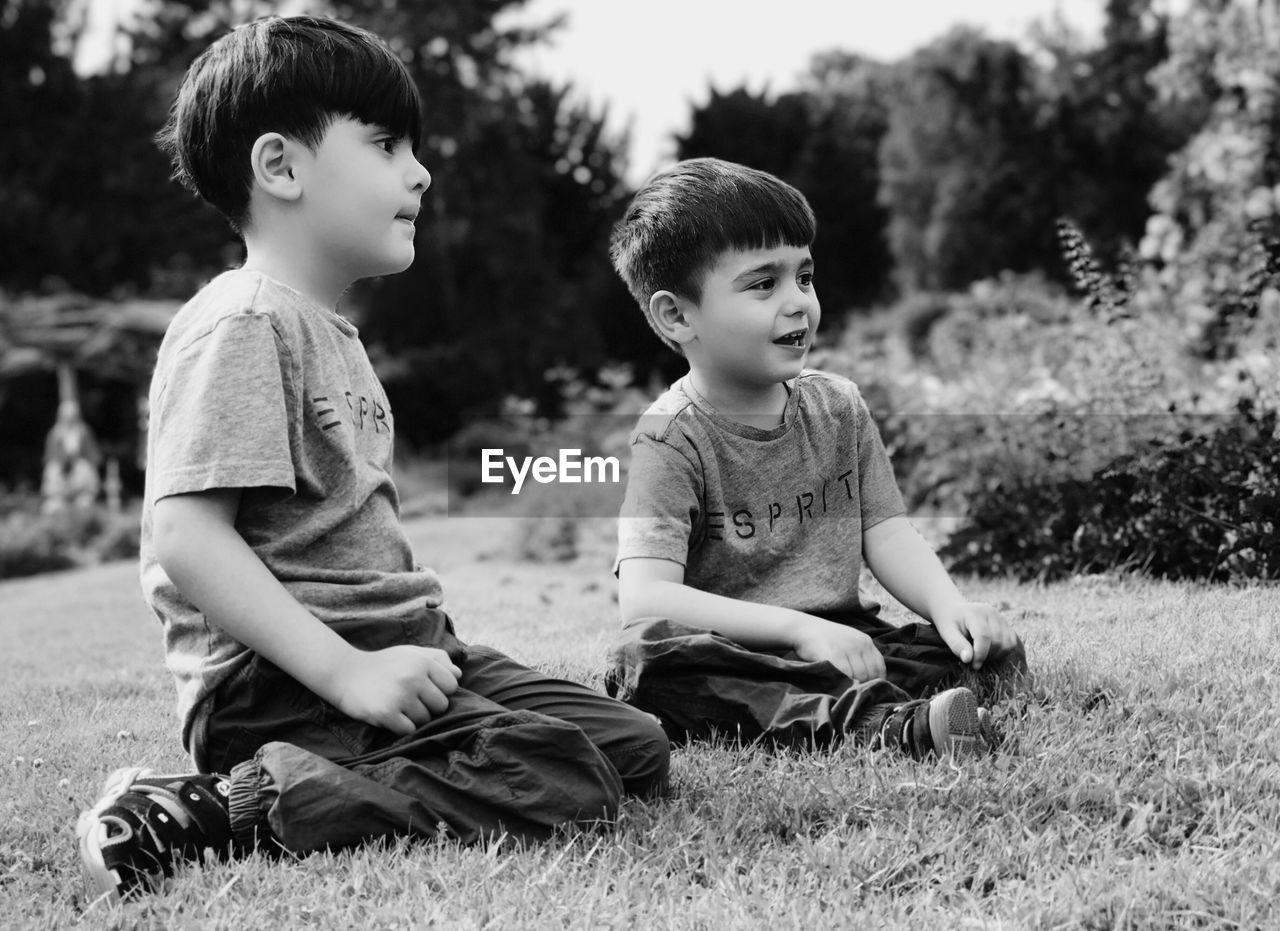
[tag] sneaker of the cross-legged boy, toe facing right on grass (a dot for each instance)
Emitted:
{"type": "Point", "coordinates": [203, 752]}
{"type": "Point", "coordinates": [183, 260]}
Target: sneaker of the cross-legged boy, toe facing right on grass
{"type": "Point", "coordinates": [948, 725]}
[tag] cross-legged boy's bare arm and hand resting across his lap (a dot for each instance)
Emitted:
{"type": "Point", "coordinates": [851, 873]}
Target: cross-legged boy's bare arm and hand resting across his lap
{"type": "Point", "coordinates": [656, 588]}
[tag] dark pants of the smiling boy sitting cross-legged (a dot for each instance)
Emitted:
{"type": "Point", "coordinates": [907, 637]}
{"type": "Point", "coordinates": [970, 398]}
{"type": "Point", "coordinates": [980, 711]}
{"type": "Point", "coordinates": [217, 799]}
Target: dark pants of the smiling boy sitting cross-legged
{"type": "Point", "coordinates": [703, 684]}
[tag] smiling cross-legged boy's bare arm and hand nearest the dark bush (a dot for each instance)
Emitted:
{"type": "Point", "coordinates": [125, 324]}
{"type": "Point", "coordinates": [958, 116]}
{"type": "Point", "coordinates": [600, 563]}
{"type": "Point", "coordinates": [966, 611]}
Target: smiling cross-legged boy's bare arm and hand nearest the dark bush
{"type": "Point", "coordinates": [911, 572]}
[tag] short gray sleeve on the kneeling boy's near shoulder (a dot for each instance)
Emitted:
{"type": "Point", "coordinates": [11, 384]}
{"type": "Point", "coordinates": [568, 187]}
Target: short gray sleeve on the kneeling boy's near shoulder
{"type": "Point", "coordinates": [222, 418]}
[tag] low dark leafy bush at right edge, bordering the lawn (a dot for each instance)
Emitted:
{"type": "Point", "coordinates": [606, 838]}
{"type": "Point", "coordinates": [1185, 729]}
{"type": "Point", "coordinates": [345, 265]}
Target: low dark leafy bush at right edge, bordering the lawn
{"type": "Point", "coordinates": [1200, 506]}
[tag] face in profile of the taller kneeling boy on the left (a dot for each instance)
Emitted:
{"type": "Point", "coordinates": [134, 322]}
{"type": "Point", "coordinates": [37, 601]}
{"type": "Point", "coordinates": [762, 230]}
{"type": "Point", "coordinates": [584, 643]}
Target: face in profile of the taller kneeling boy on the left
{"type": "Point", "coordinates": [362, 191]}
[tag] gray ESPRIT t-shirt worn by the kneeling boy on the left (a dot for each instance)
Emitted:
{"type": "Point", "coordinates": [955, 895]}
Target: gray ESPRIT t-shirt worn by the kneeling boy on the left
{"type": "Point", "coordinates": [259, 389]}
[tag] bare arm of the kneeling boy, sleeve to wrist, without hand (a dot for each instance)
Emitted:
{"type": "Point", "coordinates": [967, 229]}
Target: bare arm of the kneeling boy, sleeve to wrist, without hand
{"type": "Point", "coordinates": [217, 571]}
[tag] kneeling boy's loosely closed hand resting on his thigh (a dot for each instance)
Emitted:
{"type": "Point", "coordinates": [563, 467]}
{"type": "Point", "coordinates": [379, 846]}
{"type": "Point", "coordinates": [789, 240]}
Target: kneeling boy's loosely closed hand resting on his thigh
{"type": "Point", "coordinates": [399, 688]}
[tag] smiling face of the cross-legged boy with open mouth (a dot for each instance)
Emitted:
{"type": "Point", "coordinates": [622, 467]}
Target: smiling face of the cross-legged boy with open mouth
{"type": "Point", "coordinates": [756, 321]}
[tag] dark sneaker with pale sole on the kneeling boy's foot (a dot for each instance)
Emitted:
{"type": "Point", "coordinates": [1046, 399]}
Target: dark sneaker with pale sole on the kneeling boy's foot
{"type": "Point", "coordinates": [145, 824]}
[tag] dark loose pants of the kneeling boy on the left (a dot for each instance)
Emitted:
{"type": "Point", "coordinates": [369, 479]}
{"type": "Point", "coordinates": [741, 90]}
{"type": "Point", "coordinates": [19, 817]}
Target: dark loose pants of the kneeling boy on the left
{"type": "Point", "coordinates": [516, 752]}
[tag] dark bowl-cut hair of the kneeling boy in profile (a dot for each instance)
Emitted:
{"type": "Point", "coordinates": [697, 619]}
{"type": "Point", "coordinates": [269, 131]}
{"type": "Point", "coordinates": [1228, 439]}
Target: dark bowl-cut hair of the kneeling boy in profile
{"type": "Point", "coordinates": [287, 75]}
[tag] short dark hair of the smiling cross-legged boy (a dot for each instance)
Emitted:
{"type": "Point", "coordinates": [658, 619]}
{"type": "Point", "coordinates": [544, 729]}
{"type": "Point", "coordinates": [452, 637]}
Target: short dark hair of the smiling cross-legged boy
{"type": "Point", "coordinates": [682, 221]}
